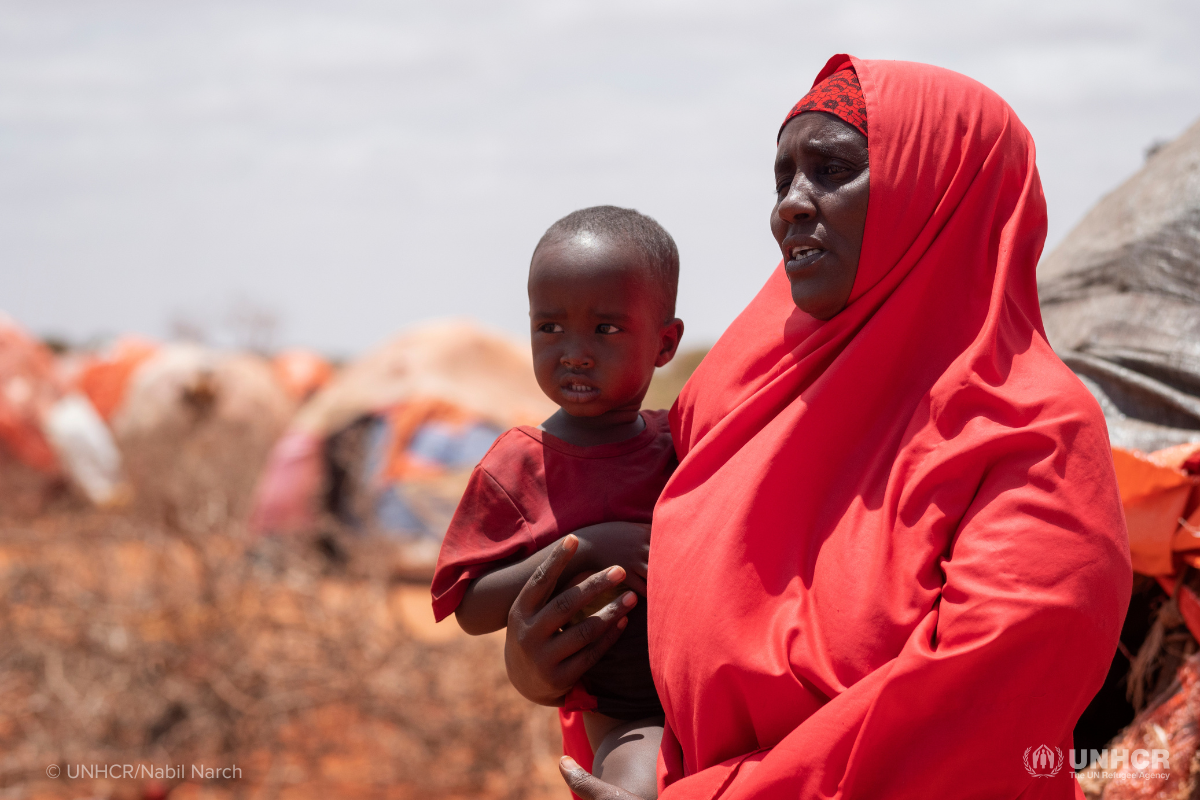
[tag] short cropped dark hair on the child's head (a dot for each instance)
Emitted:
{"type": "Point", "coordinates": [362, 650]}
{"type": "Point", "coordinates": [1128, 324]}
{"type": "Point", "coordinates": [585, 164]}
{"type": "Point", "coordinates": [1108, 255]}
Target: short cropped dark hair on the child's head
{"type": "Point", "coordinates": [647, 236]}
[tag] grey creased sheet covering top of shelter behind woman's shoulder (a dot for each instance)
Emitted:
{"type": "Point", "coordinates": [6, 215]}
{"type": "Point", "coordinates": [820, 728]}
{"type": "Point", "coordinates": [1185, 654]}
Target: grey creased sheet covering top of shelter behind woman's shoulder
{"type": "Point", "coordinates": [1121, 300]}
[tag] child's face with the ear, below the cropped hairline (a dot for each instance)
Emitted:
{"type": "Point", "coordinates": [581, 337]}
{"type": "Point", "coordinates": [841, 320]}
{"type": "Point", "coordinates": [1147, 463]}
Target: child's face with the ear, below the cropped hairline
{"type": "Point", "coordinates": [597, 326]}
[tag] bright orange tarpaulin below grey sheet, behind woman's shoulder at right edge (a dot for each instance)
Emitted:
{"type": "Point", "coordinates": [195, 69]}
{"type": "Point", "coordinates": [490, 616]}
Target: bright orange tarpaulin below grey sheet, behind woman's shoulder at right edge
{"type": "Point", "coordinates": [1161, 495]}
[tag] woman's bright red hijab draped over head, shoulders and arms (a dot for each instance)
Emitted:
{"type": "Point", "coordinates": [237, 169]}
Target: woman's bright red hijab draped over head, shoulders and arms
{"type": "Point", "coordinates": [893, 556]}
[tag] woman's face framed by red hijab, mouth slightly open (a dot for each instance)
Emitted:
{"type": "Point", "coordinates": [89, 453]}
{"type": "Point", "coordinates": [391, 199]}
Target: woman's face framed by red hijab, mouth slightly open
{"type": "Point", "coordinates": [823, 184]}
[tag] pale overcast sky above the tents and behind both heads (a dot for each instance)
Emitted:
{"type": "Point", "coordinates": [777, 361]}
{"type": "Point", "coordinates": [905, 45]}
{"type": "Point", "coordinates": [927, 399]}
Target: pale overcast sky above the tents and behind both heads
{"type": "Point", "coordinates": [326, 173]}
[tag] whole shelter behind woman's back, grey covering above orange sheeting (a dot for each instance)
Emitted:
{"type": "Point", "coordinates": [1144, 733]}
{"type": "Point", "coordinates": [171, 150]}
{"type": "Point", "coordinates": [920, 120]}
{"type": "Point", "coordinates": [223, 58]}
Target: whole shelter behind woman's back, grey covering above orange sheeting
{"type": "Point", "coordinates": [1121, 305]}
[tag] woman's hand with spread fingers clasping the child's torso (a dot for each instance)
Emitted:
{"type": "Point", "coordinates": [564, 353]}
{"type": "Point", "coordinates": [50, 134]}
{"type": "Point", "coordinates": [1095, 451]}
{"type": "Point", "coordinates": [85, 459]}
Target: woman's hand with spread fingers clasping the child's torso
{"type": "Point", "coordinates": [544, 661]}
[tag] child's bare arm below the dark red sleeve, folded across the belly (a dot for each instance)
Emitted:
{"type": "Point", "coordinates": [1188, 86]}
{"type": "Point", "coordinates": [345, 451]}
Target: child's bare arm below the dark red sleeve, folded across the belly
{"type": "Point", "coordinates": [485, 607]}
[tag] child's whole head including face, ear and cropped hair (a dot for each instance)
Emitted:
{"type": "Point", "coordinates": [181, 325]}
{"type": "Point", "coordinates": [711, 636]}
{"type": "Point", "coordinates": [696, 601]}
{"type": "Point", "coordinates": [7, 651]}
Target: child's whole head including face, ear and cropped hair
{"type": "Point", "coordinates": [602, 305]}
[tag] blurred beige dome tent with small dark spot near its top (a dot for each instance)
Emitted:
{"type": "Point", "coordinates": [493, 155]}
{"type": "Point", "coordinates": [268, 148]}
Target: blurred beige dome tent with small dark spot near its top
{"type": "Point", "coordinates": [196, 428]}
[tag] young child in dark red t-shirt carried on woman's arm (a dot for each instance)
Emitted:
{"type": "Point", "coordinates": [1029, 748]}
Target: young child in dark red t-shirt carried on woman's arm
{"type": "Point", "coordinates": [602, 306]}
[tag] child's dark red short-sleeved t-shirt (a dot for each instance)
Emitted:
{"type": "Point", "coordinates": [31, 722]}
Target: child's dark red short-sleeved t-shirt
{"type": "Point", "coordinates": [531, 490]}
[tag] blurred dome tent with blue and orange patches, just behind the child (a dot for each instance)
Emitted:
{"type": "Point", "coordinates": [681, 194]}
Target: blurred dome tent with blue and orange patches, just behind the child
{"type": "Point", "coordinates": [388, 444]}
